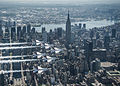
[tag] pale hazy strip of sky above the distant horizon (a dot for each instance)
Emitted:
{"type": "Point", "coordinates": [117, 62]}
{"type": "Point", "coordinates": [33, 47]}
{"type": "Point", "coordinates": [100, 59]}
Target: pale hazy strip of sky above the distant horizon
{"type": "Point", "coordinates": [65, 1]}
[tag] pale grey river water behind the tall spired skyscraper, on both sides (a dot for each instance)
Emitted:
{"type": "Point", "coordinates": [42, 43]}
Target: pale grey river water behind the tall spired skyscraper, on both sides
{"type": "Point", "coordinates": [89, 25]}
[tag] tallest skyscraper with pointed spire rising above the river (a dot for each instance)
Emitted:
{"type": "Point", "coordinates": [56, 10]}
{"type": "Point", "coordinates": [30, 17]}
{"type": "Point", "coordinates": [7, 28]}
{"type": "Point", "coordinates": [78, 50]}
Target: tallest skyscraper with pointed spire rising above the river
{"type": "Point", "coordinates": [68, 30]}
